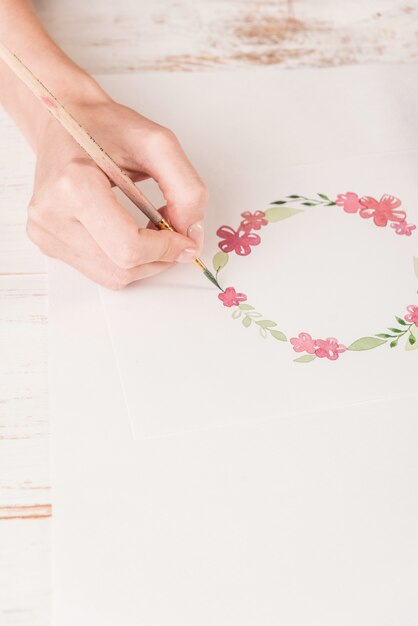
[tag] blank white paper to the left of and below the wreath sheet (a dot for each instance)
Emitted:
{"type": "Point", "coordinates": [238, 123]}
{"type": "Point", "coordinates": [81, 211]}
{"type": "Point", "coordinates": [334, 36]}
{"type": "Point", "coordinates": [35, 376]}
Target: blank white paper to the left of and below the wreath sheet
{"type": "Point", "coordinates": [301, 521]}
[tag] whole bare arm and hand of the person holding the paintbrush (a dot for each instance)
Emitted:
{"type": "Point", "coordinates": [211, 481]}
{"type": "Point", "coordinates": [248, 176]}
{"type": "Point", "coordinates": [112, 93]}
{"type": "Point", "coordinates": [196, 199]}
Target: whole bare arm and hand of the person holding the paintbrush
{"type": "Point", "coordinates": [73, 214]}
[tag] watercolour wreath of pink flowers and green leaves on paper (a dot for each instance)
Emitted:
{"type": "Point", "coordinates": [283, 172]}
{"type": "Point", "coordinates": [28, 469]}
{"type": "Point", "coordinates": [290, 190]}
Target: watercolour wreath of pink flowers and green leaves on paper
{"type": "Point", "coordinates": [384, 212]}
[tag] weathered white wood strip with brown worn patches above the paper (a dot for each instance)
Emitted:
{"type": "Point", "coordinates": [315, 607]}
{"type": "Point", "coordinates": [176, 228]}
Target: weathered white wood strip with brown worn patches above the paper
{"type": "Point", "coordinates": [212, 34]}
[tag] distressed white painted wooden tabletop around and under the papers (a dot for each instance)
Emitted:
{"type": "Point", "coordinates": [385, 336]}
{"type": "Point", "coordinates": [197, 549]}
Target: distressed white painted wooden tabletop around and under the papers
{"type": "Point", "coordinates": [128, 36]}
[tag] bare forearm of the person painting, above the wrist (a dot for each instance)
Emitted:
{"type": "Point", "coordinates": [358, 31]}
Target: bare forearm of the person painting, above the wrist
{"type": "Point", "coordinates": [21, 31]}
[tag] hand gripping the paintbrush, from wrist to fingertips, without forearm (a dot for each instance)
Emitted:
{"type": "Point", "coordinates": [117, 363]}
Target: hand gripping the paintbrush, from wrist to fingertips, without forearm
{"type": "Point", "coordinates": [74, 215]}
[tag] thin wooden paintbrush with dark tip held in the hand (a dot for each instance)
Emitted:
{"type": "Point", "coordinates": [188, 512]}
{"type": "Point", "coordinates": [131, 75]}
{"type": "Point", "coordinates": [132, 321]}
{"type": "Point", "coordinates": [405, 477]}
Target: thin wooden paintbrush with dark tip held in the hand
{"type": "Point", "coordinates": [93, 149]}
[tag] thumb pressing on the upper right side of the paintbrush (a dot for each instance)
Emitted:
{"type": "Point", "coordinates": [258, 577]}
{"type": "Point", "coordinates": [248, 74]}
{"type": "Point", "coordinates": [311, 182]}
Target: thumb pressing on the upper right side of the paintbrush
{"type": "Point", "coordinates": [161, 156]}
